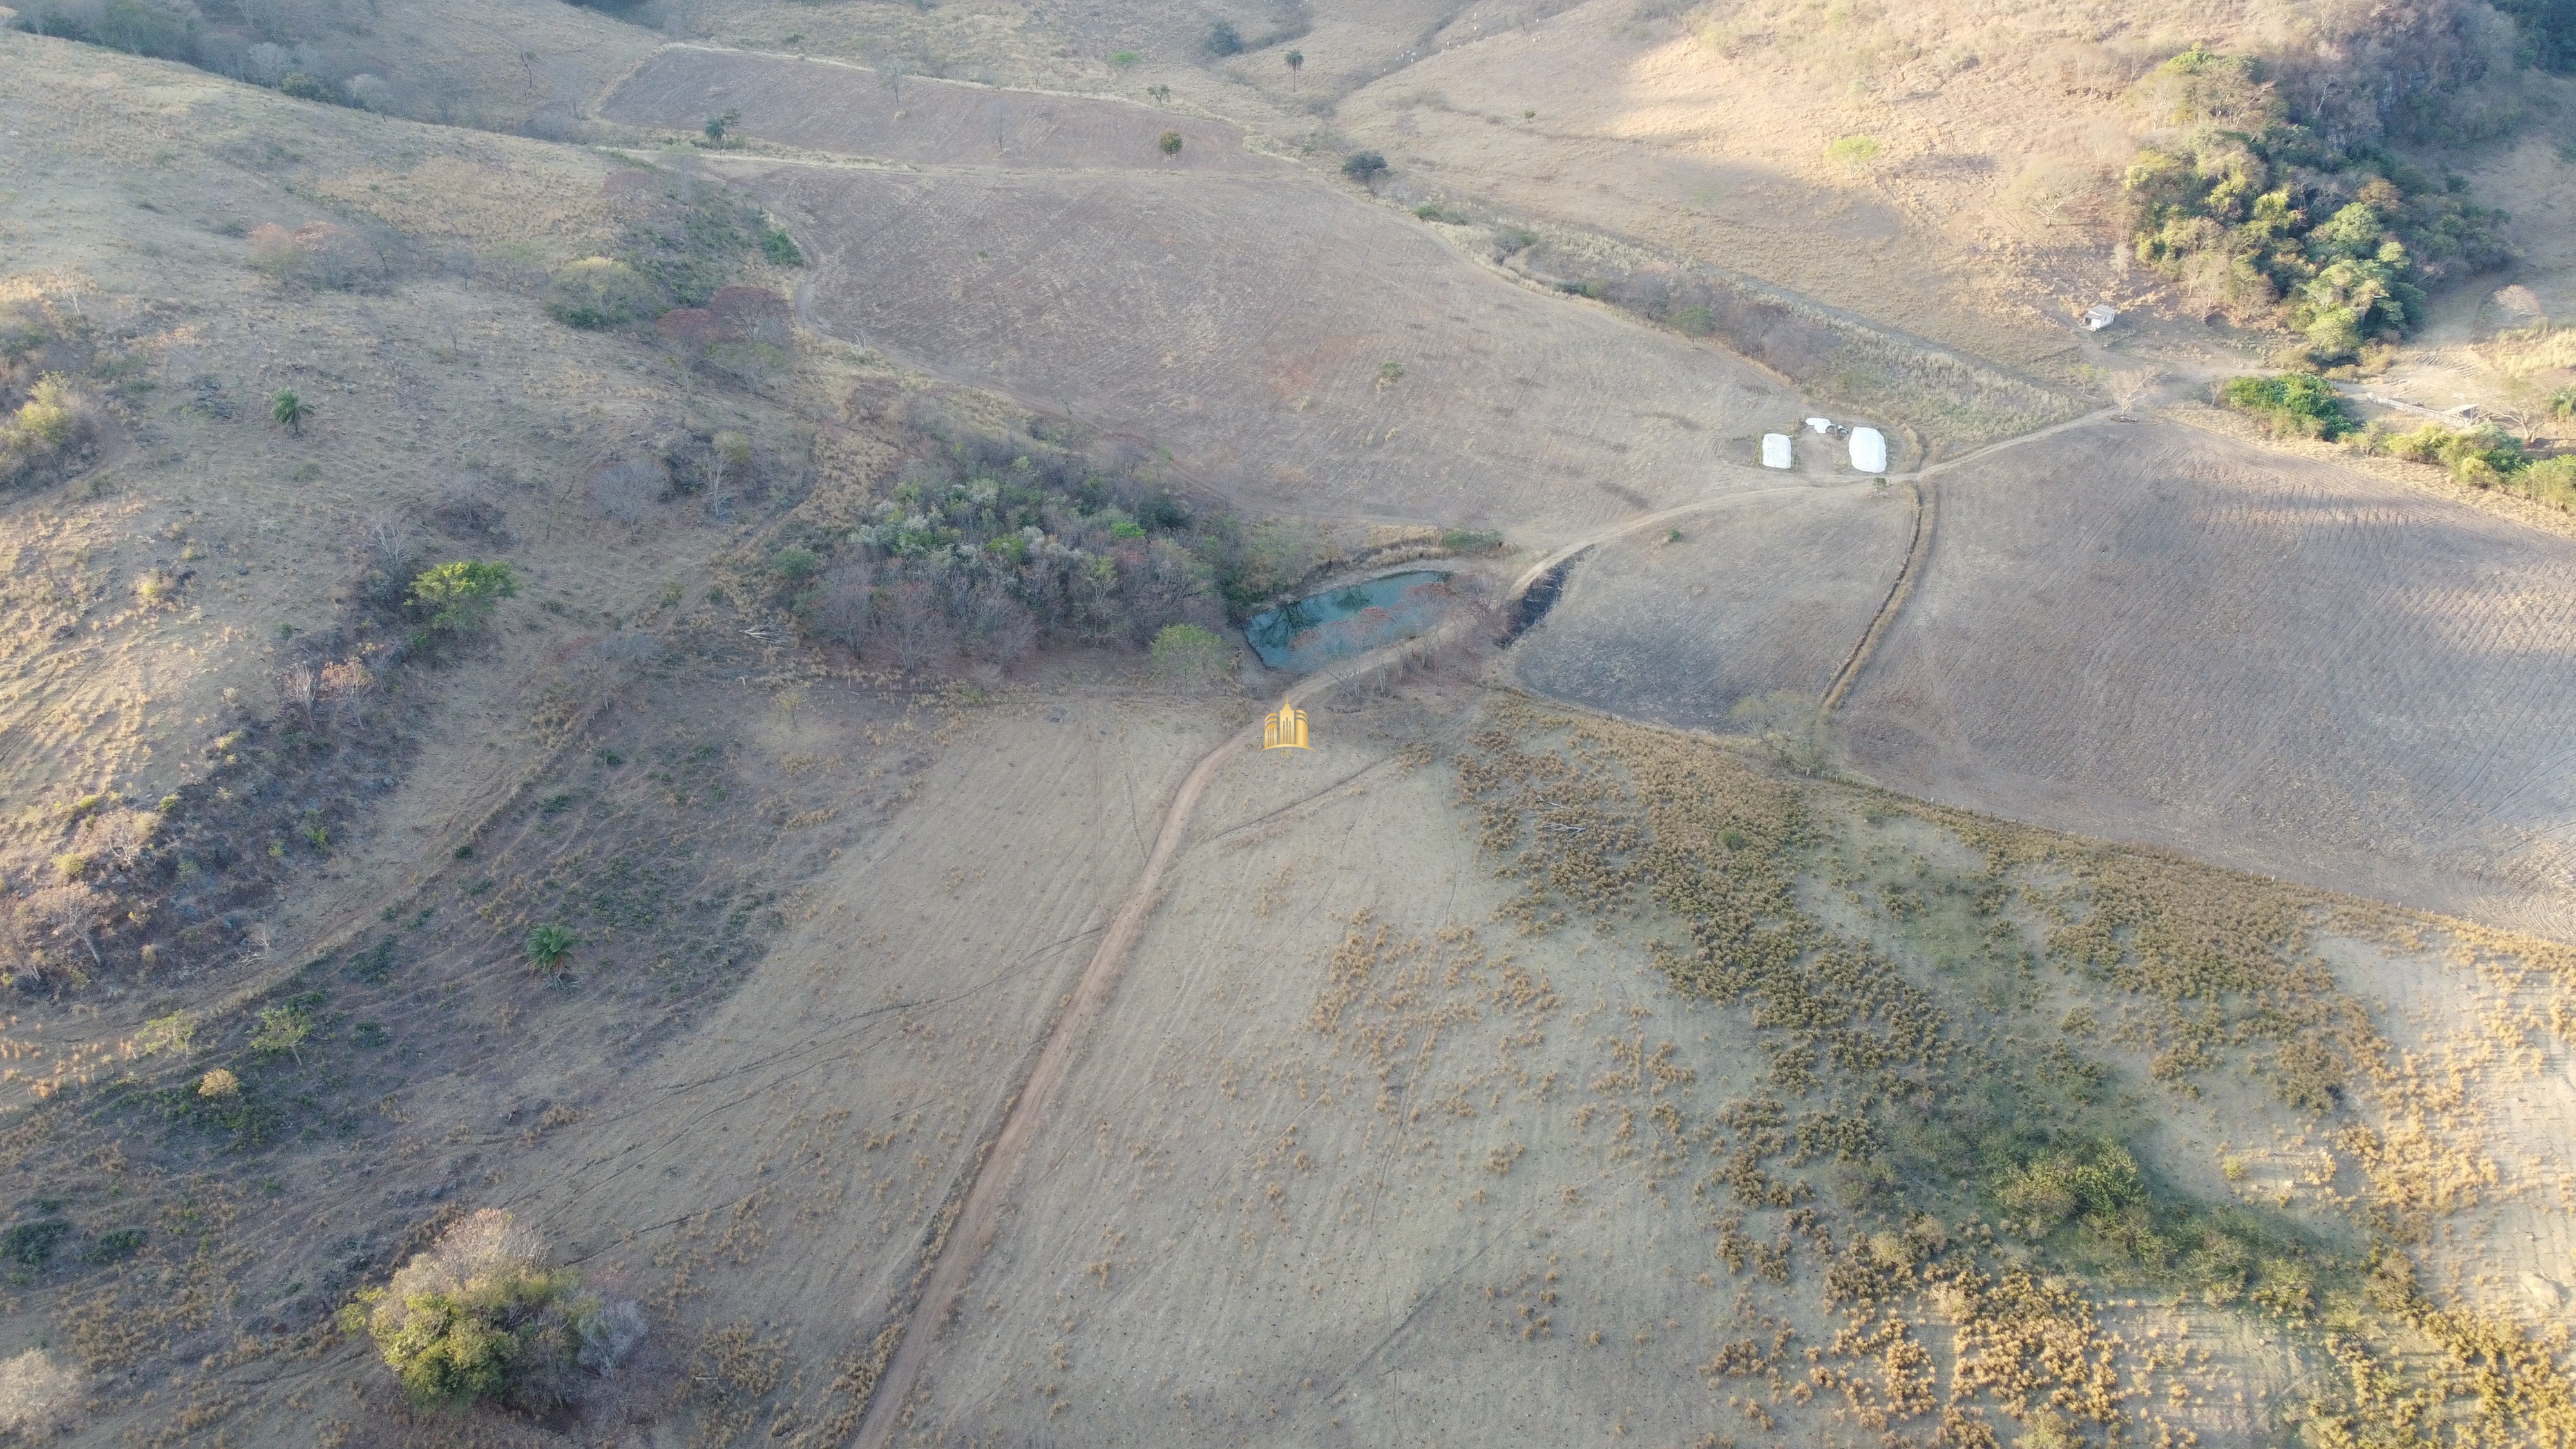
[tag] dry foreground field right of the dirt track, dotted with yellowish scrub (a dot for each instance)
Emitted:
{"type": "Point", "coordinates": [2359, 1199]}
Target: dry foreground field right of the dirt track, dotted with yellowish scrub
{"type": "Point", "coordinates": [1374, 1152]}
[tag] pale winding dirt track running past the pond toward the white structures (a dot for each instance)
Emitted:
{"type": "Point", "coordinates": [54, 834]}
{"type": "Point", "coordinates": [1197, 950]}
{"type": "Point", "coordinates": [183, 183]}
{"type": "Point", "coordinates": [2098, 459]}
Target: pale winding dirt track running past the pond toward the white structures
{"type": "Point", "coordinates": [998, 1165]}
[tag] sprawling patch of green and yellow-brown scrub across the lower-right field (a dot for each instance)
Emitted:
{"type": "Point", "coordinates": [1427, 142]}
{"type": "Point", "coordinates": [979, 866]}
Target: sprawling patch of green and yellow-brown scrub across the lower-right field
{"type": "Point", "coordinates": [1933, 1103]}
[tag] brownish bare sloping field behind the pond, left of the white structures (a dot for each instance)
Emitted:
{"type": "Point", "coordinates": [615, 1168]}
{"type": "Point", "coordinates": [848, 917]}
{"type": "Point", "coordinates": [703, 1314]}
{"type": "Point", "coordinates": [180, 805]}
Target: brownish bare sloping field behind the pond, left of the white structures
{"type": "Point", "coordinates": [1395, 382]}
